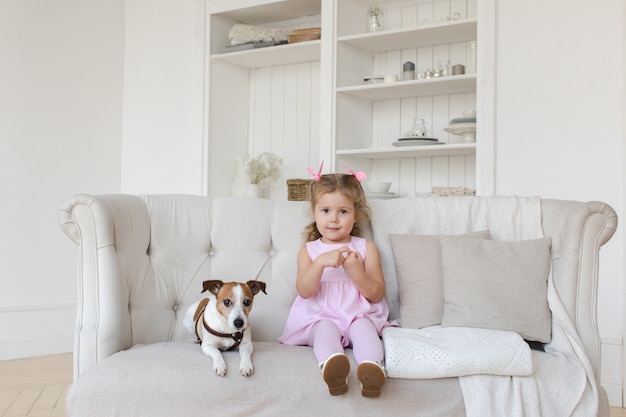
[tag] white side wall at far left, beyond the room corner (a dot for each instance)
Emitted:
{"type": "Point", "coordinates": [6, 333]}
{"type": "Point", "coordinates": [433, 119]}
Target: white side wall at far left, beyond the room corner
{"type": "Point", "coordinates": [60, 130]}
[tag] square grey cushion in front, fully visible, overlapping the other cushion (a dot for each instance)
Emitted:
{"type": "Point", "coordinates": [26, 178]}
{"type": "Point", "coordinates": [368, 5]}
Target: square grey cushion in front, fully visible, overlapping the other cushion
{"type": "Point", "coordinates": [497, 285]}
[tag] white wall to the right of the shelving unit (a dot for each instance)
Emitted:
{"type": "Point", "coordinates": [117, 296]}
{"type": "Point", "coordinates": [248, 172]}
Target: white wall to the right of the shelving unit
{"type": "Point", "coordinates": [560, 126]}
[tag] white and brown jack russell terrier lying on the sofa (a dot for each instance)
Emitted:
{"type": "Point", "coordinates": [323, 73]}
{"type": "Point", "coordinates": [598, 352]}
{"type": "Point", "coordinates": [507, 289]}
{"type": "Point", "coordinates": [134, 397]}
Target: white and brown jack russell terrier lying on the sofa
{"type": "Point", "coordinates": [220, 322]}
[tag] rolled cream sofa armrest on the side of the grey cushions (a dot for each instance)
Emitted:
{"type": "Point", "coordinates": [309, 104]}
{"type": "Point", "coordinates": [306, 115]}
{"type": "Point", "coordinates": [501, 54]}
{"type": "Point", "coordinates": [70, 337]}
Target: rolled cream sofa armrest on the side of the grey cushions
{"type": "Point", "coordinates": [578, 231]}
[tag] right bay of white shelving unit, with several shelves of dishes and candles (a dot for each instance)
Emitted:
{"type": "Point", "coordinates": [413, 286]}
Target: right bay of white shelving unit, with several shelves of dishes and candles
{"type": "Point", "coordinates": [370, 117]}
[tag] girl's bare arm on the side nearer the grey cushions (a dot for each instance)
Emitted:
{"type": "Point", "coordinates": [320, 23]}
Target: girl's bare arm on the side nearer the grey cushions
{"type": "Point", "coordinates": [367, 276]}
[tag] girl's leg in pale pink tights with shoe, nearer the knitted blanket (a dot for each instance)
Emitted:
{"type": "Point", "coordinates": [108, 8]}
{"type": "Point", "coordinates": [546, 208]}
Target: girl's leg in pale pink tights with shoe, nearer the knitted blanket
{"type": "Point", "coordinates": [368, 352]}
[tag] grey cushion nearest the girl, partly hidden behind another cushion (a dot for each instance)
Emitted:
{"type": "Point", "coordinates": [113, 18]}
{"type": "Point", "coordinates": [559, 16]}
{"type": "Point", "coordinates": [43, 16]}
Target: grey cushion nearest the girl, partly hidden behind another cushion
{"type": "Point", "coordinates": [420, 282]}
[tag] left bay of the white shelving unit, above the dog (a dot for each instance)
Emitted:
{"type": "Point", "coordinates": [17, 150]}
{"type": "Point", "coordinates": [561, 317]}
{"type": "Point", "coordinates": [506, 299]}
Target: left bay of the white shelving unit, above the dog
{"type": "Point", "coordinates": [264, 99]}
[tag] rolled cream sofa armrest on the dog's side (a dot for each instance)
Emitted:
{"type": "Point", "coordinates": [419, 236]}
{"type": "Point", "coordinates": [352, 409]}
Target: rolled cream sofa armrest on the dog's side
{"type": "Point", "coordinates": [101, 227]}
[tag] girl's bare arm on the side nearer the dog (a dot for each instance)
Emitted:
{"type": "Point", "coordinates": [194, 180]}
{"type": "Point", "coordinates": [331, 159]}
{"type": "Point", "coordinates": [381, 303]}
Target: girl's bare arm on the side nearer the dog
{"type": "Point", "coordinates": [310, 272]}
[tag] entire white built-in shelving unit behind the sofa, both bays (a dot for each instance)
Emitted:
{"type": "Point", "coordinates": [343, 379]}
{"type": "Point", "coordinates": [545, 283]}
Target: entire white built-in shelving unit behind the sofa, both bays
{"type": "Point", "coordinates": [308, 101]}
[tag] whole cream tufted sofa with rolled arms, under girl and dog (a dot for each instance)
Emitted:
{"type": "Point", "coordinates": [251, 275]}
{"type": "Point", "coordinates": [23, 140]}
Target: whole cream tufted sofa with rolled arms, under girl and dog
{"type": "Point", "coordinates": [142, 260]}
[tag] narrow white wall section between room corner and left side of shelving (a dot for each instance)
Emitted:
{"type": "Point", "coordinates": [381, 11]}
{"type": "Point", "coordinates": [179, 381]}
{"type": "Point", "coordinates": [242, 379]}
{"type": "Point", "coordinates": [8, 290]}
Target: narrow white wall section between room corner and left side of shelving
{"type": "Point", "coordinates": [162, 146]}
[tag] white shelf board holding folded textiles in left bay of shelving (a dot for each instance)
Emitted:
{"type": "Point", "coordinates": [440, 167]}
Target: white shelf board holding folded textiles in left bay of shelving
{"type": "Point", "coordinates": [292, 53]}
